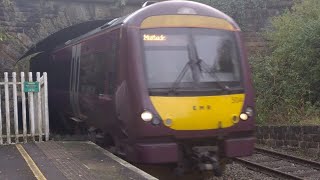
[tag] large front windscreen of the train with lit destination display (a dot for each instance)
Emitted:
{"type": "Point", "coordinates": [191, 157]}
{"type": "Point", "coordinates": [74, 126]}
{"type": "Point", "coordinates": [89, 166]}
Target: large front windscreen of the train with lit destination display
{"type": "Point", "coordinates": [210, 57]}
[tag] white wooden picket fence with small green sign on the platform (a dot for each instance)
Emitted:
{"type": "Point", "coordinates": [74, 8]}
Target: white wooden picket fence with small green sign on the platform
{"type": "Point", "coordinates": [15, 125]}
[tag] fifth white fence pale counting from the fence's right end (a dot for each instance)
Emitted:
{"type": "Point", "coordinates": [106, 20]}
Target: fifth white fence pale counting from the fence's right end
{"type": "Point", "coordinates": [15, 105]}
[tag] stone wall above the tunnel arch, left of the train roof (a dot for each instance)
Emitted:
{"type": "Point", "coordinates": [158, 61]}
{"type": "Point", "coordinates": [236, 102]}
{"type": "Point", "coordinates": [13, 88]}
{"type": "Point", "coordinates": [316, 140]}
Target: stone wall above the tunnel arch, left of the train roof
{"type": "Point", "coordinates": [29, 21]}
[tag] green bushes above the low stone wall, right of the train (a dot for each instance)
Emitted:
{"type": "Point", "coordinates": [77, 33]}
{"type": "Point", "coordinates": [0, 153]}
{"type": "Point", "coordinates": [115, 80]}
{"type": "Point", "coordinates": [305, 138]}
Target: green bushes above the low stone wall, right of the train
{"type": "Point", "coordinates": [287, 81]}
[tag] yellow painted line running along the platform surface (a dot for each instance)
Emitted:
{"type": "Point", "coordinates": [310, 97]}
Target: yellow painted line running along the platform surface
{"type": "Point", "coordinates": [34, 168]}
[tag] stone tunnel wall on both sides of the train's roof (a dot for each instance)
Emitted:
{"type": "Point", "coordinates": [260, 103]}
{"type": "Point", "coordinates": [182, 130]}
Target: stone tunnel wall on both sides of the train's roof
{"type": "Point", "coordinates": [30, 21]}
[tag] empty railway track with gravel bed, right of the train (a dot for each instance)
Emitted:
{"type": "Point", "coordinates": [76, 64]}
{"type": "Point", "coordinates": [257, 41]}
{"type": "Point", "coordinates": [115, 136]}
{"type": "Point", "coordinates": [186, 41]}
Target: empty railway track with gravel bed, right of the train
{"type": "Point", "coordinates": [281, 165]}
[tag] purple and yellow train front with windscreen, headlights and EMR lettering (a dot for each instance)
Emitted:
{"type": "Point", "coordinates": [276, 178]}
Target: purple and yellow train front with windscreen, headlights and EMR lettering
{"type": "Point", "coordinates": [186, 92]}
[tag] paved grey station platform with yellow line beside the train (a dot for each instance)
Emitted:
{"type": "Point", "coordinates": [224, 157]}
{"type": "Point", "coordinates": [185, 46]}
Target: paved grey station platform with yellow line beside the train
{"type": "Point", "coordinates": [62, 160]}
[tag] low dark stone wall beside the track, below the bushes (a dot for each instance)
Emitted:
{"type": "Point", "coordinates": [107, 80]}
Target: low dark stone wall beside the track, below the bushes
{"type": "Point", "coordinates": [302, 137]}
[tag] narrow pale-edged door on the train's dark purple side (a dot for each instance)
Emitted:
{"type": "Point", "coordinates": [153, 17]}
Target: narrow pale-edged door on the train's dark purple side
{"type": "Point", "coordinates": [74, 81]}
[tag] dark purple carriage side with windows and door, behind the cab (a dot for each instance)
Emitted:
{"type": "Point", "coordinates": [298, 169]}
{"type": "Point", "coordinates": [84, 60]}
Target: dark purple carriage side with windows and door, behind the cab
{"type": "Point", "coordinates": [94, 75]}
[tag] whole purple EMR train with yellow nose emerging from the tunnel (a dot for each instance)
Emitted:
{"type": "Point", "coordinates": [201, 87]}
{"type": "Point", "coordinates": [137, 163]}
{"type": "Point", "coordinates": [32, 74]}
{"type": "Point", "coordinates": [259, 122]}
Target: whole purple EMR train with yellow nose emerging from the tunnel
{"type": "Point", "coordinates": [168, 83]}
